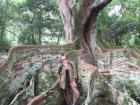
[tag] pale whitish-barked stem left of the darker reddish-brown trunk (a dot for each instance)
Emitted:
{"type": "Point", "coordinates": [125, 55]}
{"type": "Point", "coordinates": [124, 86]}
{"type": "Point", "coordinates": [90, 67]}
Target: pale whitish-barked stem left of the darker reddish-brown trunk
{"type": "Point", "coordinates": [66, 7]}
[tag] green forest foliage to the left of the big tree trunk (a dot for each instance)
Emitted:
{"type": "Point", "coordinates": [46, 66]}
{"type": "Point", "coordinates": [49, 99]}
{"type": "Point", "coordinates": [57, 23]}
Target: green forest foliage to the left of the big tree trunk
{"type": "Point", "coordinates": [30, 21]}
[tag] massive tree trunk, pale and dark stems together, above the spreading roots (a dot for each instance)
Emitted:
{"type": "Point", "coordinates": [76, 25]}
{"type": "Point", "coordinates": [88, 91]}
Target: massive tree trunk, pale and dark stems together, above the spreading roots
{"type": "Point", "coordinates": [79, 21]}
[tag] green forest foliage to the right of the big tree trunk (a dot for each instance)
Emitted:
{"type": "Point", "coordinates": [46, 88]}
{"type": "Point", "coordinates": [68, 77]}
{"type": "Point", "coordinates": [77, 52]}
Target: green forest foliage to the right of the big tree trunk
{"type": "Point", "coordinates": [120, 26]}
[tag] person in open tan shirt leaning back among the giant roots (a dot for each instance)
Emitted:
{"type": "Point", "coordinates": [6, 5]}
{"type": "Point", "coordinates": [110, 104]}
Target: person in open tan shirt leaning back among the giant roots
{"type": "Point", "coordinates": [68, 75]}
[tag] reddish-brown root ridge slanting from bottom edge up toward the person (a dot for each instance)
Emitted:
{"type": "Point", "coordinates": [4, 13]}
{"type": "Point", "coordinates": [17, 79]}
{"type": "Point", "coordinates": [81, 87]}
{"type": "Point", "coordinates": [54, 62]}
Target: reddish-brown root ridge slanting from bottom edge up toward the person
{"type": "Point", "coordinates": [43, 96]}
